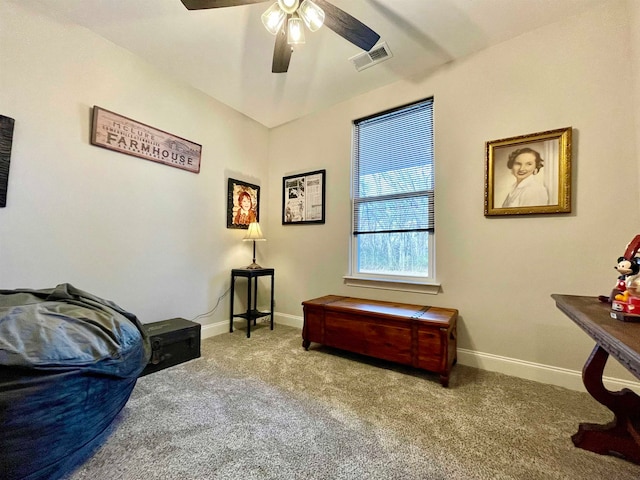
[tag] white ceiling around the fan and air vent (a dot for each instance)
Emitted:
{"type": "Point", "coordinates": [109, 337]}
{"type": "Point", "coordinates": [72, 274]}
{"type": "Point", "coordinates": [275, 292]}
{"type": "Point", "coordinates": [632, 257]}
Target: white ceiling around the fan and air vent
{"type": "Point", "coordinates": [226, 52]}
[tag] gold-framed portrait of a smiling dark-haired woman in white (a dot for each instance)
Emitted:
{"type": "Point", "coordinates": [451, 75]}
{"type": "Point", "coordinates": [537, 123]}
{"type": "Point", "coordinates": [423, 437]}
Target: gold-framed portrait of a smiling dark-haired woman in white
{"type": "Point", "coordinates": [528, 174]}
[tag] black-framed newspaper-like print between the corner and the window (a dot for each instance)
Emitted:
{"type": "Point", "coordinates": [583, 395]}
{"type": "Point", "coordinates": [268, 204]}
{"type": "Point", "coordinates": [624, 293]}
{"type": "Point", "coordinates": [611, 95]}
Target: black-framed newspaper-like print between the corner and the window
{"type": "Point", "coordinates": [303, 198]}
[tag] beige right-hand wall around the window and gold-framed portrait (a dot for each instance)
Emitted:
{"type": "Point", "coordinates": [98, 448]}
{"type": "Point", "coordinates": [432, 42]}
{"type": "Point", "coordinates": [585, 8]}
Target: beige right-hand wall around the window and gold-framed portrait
{"type": "Point", "coordinates": [499, 272]}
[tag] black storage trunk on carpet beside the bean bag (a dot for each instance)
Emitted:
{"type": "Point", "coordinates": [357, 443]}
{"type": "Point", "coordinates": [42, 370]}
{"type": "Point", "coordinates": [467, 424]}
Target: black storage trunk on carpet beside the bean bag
{"type": "Point", "coordinates": [172, 341]}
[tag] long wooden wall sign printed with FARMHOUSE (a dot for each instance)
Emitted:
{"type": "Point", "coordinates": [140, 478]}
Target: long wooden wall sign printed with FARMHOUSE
{"type": "Point", "coordinates": [124, 135]}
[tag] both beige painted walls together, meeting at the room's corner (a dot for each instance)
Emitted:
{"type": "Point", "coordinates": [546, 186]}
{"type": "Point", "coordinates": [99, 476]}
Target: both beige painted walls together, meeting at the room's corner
{"type": "Point", "coordinates": [154, 238]}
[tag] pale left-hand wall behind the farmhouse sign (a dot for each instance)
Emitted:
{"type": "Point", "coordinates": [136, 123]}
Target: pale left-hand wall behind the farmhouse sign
{"type": "Point", "coordinates": [151, 237]}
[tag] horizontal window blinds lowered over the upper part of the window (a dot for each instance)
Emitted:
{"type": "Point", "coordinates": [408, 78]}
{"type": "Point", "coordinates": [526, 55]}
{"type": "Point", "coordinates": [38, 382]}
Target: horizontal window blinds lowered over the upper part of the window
{"type": "Point", "coordinates": [393, 172]}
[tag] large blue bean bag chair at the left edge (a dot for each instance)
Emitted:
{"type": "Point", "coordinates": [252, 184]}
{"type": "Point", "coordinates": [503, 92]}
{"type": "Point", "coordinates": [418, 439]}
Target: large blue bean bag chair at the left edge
{"type": "Point", "coordinates": [68, 363]}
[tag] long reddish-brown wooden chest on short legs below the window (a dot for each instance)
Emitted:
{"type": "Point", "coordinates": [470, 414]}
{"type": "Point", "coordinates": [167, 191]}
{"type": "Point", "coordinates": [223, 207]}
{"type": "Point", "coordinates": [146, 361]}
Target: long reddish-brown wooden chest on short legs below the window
{"type": "Point", "coordinates": [421, 336]}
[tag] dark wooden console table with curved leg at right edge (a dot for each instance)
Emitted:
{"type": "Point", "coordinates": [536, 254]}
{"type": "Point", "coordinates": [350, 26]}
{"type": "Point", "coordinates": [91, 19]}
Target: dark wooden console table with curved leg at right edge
{"type": "Point", "coordinates": [621, 340]}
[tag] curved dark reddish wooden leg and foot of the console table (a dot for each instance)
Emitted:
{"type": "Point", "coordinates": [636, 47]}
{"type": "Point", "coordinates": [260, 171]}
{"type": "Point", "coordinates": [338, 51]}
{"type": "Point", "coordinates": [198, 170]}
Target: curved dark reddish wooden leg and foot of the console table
{"type": "Point", "coordinates": [621, 437]}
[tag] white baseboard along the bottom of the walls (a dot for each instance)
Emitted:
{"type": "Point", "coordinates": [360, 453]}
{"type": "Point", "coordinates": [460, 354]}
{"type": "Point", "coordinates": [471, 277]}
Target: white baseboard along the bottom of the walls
{"type": "Point", "coordinates": [562, 377]}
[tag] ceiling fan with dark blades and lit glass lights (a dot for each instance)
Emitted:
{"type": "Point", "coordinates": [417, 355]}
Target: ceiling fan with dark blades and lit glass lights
{"type": "Point", "coordinates": [286, 20]}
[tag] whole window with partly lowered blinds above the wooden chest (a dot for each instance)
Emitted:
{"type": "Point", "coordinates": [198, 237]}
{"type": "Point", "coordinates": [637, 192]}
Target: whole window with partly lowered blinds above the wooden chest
{"type": "Point", "coordinates": [393, 196]}
